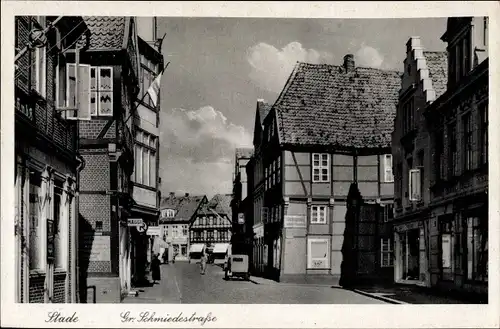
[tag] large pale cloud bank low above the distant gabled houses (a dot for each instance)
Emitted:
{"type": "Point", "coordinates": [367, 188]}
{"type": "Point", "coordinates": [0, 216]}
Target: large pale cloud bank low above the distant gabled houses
{"type": "Point", "coordinates": [197, 150]}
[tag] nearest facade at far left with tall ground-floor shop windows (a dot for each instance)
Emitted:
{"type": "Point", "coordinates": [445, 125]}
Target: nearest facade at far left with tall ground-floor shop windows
{"type": "Point", "coordinates": [47, 163]}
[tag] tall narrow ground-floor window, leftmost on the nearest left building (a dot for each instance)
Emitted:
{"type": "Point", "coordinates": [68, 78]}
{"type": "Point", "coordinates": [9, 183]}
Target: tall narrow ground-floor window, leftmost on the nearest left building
{"type": "Point", "coordinates": [36, 241]}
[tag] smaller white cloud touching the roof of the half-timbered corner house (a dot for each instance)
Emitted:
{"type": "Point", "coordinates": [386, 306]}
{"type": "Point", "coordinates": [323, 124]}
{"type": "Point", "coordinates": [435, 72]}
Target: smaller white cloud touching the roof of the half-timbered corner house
{"type": "Point", "coordinates": [271, 67]}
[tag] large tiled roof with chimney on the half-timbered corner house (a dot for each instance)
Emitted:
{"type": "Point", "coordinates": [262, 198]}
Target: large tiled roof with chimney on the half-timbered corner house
{"type": "Point", "coordinates": [323, 104]}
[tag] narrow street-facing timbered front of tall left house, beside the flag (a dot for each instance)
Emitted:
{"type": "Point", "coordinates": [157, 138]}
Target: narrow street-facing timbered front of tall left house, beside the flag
{"type": "Point", "coordinates": [146, 131]}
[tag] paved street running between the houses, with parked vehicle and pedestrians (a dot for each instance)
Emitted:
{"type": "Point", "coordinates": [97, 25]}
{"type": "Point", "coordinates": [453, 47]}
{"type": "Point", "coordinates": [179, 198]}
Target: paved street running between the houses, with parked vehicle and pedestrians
{"type": "Point", "coordinates": [182, 283]}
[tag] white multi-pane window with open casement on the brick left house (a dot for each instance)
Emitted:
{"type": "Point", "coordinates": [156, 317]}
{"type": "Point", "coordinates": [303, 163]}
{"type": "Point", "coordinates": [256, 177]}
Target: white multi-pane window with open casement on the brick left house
{"type": "Point", "coordinates": [95, 91]}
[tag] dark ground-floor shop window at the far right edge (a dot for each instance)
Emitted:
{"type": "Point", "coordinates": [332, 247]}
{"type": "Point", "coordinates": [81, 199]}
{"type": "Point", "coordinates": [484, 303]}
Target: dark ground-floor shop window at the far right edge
{"type": "Point", "coordinates": [477, 248]}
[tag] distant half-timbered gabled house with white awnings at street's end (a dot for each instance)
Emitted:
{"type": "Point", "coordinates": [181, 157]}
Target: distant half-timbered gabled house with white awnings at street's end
{"type": "Point", "coordinates": [212, 224]}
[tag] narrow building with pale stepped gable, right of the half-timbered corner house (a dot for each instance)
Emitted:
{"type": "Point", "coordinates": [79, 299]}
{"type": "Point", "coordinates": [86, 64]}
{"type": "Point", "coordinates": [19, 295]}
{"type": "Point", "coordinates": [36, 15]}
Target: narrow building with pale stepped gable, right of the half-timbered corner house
{"type": "Point", "coordinates": [424, 79]}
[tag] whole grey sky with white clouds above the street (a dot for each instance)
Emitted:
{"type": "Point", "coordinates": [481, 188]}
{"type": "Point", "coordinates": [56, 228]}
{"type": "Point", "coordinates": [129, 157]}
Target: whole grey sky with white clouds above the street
{"type": "Point", "coordinates": [219, 67]}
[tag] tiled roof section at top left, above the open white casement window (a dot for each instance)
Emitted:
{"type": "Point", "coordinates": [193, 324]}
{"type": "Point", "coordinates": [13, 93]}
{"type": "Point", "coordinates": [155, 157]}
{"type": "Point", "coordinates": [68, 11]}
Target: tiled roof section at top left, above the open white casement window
{"type": "Point", "coordinates": [106, 32]}
